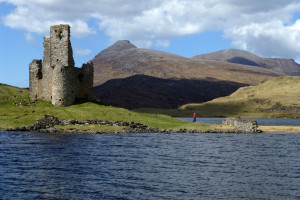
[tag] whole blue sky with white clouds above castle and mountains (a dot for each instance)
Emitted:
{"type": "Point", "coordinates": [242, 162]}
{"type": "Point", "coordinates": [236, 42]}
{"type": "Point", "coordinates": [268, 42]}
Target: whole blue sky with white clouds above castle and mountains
{"type": "Point", "coordinates": [268, 28]}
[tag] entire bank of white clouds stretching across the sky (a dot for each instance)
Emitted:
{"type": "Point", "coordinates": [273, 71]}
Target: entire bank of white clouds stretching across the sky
{"type": "Point", "coordinates": [263, 27]}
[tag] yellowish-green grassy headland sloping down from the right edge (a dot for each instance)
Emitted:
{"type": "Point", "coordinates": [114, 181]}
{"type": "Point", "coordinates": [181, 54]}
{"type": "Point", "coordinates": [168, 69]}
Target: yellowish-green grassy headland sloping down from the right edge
{"type": "Point", "coordinates": [277, 97]}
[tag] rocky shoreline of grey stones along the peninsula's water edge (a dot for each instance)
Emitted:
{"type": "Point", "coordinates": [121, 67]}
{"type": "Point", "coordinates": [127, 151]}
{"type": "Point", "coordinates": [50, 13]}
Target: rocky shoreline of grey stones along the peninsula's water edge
{"type": "Point", "coordinates": [48, 123]}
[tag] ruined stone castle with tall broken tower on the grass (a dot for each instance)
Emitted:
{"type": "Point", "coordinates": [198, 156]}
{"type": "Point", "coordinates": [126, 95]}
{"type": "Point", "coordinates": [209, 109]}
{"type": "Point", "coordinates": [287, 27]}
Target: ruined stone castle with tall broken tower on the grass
{"type": "Point", "coordinates": [55, 78]}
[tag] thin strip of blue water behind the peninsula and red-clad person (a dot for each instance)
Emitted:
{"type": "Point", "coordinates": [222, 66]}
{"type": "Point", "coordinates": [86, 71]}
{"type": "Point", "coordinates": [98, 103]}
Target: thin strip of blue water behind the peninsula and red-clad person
{"type": "Point", "coordinates": [260, 121]}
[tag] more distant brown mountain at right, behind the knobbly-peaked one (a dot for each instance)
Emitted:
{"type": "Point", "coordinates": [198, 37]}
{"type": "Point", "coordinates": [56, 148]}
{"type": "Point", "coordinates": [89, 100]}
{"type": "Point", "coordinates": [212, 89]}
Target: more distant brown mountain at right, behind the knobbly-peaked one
{"type": "Point", "coordinates": [286, 66]}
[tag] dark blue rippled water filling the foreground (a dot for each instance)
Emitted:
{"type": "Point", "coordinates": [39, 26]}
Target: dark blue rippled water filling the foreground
{"type": "Point", "coordinates": [149, 166]}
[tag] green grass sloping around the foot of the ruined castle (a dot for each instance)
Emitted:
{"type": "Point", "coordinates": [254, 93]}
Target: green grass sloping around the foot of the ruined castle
{"type": "Point", "coordinates": [16, 109]}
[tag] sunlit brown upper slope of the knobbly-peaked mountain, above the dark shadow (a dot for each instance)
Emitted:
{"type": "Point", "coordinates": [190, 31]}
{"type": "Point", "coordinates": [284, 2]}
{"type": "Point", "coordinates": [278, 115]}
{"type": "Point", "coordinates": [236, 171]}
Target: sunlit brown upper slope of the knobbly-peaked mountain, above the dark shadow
{"type": "Point", "coordinates": [123, 59]}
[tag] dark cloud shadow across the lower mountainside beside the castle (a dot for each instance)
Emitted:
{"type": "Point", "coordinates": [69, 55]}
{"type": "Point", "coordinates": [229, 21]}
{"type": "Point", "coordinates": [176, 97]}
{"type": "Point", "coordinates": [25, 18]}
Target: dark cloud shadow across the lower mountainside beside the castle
{"type": "Point", "coordinates": [141, 91]}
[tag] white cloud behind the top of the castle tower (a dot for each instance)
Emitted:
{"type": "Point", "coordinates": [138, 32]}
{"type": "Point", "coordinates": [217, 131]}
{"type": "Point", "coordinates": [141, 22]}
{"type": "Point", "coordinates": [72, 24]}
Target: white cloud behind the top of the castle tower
{"type": "Point", "coordinates": [36, 16]}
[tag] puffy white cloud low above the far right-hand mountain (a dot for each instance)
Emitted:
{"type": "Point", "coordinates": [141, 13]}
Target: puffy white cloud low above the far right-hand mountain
{"type": "Point", "coordinates": [272, 39]}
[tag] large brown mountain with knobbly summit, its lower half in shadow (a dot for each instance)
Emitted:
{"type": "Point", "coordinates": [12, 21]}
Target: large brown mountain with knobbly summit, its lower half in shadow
{"type": "Point", "coordinates": [131, 77]}
